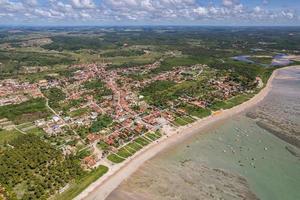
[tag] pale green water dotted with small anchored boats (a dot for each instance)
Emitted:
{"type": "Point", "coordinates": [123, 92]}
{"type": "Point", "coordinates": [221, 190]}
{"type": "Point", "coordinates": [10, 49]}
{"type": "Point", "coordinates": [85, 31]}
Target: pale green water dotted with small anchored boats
{"type": "Point", "coordinates": [240, 146]}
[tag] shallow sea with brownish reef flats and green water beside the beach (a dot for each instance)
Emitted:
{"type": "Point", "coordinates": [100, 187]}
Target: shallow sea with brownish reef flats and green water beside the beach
{"type": "Point", "coordinates": [239, 147]}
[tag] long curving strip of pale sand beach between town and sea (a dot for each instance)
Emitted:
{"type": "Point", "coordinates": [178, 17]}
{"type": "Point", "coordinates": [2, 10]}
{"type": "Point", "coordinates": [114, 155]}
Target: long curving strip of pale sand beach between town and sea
{"type": "Point", "coordinates": [101, 188]}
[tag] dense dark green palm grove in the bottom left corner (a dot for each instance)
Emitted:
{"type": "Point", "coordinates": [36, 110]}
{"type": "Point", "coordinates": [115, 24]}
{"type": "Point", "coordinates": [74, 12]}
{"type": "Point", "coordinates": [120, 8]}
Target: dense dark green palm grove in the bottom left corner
{"type": "Point", "coordinates": [34, 169]}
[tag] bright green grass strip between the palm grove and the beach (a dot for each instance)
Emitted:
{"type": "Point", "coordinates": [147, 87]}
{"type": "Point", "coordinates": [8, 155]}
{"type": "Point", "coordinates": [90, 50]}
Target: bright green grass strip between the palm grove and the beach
{"type": "Point", "coordinates": [82, 183]}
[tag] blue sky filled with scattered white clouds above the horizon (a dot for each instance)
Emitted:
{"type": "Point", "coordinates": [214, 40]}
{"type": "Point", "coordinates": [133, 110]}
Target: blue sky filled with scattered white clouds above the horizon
{"type": "Point", "coordinates": [150, 12]}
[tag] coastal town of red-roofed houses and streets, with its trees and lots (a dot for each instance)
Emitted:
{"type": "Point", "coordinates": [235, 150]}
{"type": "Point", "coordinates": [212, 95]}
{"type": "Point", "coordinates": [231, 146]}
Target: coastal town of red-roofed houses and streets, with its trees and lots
{"type": "Point", "coordinates": [103, 112]}
